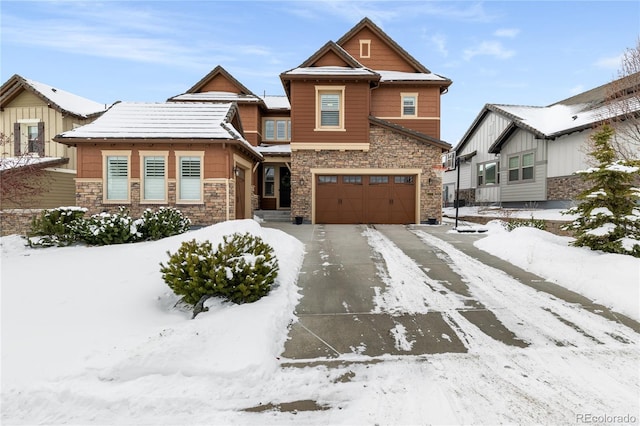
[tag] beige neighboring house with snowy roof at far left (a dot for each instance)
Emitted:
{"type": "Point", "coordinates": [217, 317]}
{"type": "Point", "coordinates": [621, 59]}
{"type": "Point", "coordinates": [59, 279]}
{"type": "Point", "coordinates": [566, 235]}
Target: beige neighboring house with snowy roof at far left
{"type": "Point", "coordinates": [31, 114]}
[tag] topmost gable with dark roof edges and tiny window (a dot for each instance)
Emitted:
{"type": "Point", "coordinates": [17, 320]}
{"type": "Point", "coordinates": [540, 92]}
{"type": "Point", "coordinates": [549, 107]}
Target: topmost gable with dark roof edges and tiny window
{"type": "Point", "coordinates": [384, 46]}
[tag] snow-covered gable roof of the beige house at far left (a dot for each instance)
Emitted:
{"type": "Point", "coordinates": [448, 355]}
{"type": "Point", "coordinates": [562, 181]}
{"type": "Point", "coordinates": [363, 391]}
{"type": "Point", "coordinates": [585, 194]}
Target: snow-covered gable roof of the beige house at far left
{"type": "Point", "coordinates": [60, 100]}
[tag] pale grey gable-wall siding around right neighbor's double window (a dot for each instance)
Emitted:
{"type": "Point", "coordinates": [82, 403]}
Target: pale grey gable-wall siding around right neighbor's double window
{"type": "Point", "coordinates": [536, 190]}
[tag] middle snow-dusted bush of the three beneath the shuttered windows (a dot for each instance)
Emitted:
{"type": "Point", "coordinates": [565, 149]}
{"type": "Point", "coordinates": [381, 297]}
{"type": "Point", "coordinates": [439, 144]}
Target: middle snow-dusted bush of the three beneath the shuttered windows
{"type": "Point", "coordinates": [106, 228]}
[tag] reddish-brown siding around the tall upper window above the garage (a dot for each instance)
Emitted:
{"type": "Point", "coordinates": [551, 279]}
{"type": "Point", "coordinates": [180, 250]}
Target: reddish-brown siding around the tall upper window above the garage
{"type": "Point", "coordinates": [303, 107]}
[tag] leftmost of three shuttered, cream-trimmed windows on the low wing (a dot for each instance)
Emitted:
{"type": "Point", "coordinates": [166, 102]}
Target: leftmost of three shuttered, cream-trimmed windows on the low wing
{"type": "Point", "coordinates": [116, 175]}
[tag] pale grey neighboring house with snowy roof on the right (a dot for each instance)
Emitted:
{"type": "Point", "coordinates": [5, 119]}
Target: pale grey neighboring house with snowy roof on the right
{"type": "Point", "coordinates": [516, 155]}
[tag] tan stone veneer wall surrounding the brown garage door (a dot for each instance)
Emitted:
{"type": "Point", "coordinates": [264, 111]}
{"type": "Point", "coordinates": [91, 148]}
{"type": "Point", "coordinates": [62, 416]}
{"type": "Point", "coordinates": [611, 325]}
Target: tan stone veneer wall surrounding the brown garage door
{"type": "Point", "coordinates": [387, 150]}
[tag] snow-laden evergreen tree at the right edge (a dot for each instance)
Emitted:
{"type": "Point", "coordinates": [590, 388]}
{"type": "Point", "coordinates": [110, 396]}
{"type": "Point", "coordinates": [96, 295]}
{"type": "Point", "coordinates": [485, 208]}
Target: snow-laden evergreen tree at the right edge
{"type": "Point", "coordinates": [608, 213]}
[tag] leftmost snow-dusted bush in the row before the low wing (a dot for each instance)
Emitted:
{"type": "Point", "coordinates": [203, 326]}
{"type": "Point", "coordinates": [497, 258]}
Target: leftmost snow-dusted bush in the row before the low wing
{"type": "Point", "coordinates": [54, 227]}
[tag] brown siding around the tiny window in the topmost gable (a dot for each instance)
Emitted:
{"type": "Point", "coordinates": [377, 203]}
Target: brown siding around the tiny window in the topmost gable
{"type": "Point", "coordinates": [382, 57]}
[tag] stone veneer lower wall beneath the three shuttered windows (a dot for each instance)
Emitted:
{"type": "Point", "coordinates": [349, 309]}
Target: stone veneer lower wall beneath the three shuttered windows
{"type": "Point", "coordinates": [213, 210]}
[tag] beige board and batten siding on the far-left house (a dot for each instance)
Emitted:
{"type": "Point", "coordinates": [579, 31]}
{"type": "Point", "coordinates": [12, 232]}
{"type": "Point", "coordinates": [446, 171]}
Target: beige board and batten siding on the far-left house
{"type": "Point", "coordinates": [28, 106]}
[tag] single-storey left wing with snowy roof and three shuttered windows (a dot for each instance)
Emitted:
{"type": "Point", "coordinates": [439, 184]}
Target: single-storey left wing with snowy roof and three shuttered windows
{"type": "Point", "coordinates": [189, 155]}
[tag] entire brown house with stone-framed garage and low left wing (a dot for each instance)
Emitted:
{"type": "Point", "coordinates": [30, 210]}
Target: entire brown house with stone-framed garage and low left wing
{"type": "Point", "coordinates": [355, 140]}
